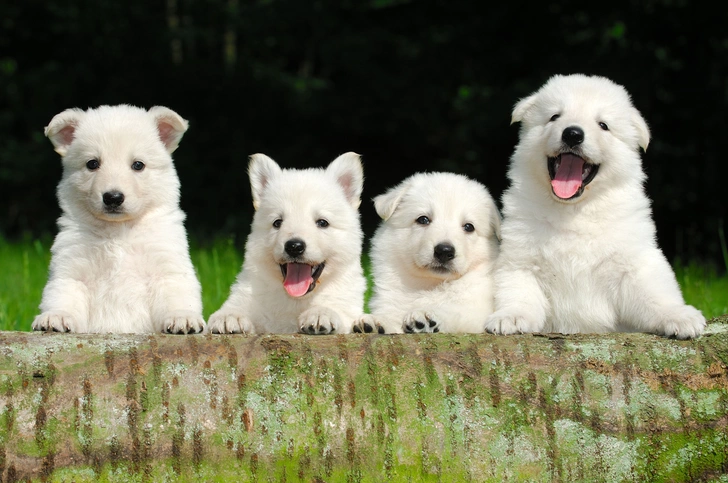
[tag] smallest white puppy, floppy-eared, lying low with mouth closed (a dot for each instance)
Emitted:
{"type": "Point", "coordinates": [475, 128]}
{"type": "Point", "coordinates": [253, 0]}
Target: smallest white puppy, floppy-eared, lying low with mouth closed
{"type": "Point", "coordinates": [432, 256]}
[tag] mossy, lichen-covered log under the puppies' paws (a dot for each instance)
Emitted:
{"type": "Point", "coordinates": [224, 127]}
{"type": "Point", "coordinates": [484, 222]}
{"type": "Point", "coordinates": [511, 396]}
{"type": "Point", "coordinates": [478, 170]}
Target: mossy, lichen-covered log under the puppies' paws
{"type": "Point", "coordinates": [363, 407]}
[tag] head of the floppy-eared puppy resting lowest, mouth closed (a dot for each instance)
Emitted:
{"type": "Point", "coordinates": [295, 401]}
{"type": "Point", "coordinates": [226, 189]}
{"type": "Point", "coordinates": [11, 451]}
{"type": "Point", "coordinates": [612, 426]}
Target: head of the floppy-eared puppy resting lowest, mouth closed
{"type": "Point", "coordinates": [437, 225]}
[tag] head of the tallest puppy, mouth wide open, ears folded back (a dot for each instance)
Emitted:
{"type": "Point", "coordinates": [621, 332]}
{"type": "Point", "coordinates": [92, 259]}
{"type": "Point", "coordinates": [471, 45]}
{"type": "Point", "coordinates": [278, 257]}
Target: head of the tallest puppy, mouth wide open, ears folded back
{"type": "Point", "coordinates": [579, 135]}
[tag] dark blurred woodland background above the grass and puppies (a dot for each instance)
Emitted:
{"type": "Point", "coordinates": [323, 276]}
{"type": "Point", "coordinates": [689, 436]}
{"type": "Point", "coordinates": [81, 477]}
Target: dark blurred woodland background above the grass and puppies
{"type": "Point", "coordinates": [409, 85]}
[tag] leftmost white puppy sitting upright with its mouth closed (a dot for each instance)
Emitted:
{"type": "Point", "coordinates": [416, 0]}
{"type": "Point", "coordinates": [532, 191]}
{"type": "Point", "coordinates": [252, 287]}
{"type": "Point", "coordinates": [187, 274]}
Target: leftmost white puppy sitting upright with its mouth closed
{"type": "Point", "coordinates": [120, 261]}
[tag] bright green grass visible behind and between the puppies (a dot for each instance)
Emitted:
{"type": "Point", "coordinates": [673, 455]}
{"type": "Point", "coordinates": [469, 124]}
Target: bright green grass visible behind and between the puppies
{"type": "Point", "coordinates": [24, 269]}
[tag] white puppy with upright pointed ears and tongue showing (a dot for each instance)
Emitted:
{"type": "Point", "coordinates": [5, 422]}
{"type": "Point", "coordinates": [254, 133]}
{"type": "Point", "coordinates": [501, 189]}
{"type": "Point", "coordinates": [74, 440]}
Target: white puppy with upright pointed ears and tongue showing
{"type": "Point", "coordinates": [302, 270]}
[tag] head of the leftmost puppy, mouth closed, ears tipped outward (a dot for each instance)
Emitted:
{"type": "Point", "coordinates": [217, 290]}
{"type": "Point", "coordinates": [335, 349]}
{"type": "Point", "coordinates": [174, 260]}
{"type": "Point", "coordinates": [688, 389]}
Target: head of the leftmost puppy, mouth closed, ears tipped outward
{"type": "Point", "coordinates": [117, 162]}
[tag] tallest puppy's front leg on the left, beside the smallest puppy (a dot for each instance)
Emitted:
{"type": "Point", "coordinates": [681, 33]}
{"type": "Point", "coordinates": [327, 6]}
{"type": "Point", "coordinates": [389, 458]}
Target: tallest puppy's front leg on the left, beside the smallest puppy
{"type": "Point", "coordinates": [519, 302]}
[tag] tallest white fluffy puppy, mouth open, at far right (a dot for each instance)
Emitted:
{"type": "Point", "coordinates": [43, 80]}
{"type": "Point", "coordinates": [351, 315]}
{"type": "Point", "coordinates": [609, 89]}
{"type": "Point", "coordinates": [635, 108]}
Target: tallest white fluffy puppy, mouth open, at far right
{"type": "Point", "coordinates": [579, 251]}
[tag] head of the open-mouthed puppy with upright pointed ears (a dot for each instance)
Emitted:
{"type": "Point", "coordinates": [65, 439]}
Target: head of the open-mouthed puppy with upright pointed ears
{"type": "Point", "coordinates": [306, 225]}
